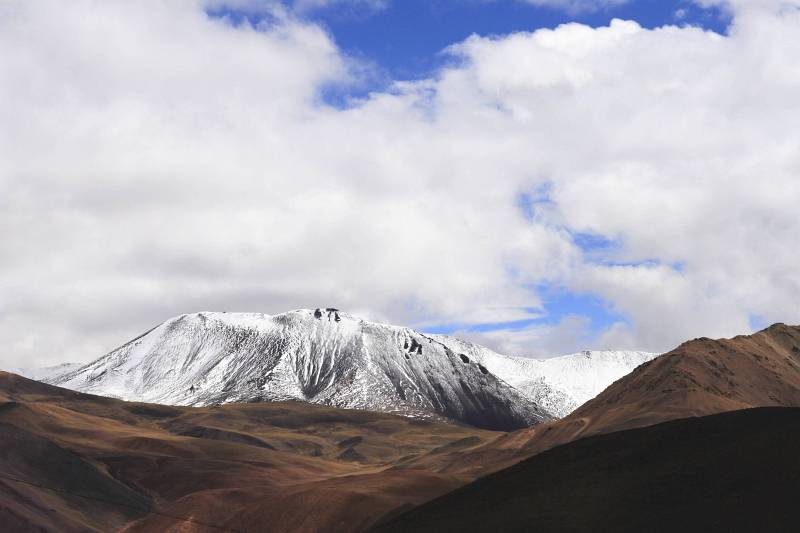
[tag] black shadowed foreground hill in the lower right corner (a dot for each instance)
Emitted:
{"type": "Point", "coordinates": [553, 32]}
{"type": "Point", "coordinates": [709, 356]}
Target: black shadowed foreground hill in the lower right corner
{"type": "Point", "coordinates": [735, 471]}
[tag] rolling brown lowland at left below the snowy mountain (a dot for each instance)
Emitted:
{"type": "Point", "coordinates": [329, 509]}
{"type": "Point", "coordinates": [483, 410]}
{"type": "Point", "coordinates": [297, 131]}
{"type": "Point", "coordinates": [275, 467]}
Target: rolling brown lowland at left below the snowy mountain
{"type": "Point", "coordinates": [76, 462]}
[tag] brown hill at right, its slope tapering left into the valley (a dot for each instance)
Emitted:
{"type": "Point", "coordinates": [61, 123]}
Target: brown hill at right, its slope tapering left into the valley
{"type": "Point", "coordinates": [699, 377]}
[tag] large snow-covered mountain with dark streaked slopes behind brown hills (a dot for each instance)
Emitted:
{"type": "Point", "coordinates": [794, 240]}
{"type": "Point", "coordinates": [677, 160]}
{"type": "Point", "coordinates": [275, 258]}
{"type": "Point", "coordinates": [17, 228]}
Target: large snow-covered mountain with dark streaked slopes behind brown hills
{"type": "Point", "coordinates": [322, 357]}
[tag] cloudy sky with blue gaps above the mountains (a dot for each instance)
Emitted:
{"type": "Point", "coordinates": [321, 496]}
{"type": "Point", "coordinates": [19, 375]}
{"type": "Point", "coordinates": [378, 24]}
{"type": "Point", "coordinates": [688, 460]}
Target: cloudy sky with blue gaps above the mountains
{"type": "Point", "coordinates": [541, 176]}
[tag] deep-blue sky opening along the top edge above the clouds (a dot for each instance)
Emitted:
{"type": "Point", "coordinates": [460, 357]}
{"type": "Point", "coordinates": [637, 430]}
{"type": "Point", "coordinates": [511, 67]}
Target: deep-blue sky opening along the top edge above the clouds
{"type": "Point", "coordinates": [405, 40]}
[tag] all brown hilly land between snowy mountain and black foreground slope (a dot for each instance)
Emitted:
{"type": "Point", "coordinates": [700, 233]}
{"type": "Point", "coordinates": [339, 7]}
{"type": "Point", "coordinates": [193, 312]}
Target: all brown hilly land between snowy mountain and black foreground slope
{"type": "Point", "coordinates": [75, 462]}
